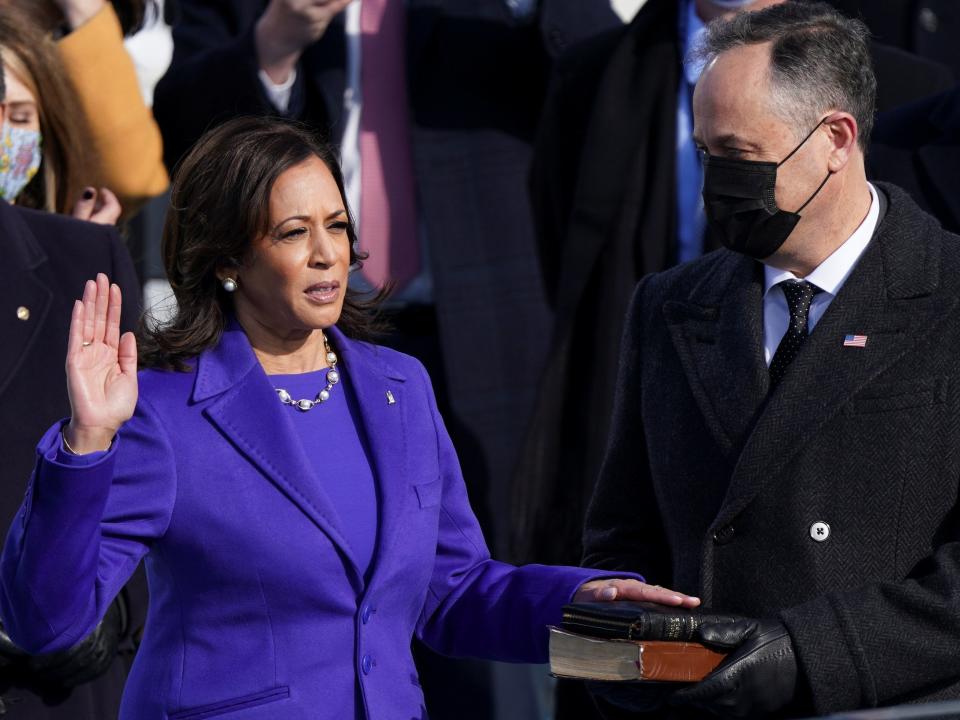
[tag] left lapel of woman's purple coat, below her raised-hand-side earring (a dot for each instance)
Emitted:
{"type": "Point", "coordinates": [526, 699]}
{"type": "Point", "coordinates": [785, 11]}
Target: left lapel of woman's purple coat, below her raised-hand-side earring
{"type": "Point", "coordinates": [248, 413]}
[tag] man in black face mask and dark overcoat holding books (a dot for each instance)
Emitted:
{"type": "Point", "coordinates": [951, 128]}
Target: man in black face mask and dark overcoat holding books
{"type": "Point", "coordinates": [785, 441]}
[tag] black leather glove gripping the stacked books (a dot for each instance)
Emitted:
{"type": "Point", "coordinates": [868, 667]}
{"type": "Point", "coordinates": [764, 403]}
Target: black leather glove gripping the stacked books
{"type": "Point", "coordinates": [758, 677]}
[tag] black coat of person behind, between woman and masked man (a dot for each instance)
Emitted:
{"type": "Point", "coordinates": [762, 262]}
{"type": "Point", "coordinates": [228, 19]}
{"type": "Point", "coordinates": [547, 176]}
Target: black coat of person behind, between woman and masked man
{"type": "Point", "coordinates": [603, 190]}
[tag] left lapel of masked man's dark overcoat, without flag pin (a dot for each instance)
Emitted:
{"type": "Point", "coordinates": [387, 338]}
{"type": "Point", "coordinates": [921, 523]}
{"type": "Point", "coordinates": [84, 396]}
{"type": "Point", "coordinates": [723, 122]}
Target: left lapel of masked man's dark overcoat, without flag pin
{"type": "Point", "coordinates": [718, 335]}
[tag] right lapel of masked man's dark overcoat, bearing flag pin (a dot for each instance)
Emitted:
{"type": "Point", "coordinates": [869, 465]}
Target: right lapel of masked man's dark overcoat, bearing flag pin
{"type": "Point", "coordinates": [888, 299]}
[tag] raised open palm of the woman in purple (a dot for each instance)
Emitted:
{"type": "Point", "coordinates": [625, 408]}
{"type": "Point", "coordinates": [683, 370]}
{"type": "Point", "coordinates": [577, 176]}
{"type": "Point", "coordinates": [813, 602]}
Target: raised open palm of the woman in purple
{"type": "Point", "coordinates": [101, 369]}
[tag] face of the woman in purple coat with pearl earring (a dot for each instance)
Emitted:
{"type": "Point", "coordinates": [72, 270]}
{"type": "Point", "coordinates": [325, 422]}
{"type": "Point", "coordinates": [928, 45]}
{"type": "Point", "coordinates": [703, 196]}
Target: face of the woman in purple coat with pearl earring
{"type": "Point", "coordinates": [296, 276]}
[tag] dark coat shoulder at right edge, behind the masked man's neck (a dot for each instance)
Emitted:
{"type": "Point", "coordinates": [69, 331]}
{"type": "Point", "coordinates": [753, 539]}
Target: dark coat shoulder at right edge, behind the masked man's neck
{"type": "Point", "coordinates": [918, 148]}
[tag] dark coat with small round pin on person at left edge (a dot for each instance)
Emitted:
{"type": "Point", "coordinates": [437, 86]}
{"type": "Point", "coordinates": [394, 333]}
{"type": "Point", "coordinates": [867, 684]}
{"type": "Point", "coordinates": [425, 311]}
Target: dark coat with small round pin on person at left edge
{"type": "Point", "coordinates": [47, 258]}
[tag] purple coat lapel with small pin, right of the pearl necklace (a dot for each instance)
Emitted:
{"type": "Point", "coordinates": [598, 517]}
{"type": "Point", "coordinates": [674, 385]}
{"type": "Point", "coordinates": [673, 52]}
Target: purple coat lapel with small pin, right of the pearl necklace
{"type": "Point", "coordinates": [384, 404]}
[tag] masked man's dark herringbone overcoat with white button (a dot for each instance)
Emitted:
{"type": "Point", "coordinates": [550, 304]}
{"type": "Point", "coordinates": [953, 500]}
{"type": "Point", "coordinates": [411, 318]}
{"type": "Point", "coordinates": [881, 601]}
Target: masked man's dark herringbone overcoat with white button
{"type": "Point", "coordinates": [711, 487]}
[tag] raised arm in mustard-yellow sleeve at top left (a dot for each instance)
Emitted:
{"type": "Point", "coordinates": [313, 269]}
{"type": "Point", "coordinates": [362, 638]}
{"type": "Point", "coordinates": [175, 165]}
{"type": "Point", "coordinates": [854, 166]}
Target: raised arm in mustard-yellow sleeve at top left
{"type": "Point", "coordinates": [126, 138]}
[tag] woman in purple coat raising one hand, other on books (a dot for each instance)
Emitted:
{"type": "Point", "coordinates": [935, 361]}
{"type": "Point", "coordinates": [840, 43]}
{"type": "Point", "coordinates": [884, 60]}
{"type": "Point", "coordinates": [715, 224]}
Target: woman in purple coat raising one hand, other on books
{"type": "Point", "coordinates": [291, 486]}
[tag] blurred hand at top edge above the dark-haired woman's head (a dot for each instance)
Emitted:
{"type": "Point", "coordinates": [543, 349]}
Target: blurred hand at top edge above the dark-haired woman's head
{"type": "Point", "coordinates": [286, 28]}
